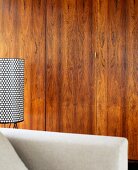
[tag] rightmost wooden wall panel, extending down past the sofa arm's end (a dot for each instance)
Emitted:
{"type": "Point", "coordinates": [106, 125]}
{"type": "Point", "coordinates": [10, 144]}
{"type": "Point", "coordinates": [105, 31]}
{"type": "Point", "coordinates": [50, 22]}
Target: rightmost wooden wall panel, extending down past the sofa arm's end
{"type": "Point", "coordinates": [132, 78]}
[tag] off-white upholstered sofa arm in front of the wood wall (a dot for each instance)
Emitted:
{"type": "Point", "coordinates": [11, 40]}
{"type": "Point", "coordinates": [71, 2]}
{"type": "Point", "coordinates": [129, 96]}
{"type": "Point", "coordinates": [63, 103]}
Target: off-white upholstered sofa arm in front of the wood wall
{"type": "Point", "coordinates": [60, 151]}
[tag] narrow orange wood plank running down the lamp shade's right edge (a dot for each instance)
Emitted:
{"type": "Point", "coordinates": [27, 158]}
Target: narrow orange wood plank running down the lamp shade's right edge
{"type": "Point", "coordinates": [25, 50]}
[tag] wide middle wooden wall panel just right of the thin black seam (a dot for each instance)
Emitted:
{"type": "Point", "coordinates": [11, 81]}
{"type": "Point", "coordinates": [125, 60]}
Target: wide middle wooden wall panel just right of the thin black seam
{"type": "Point", "coordinates": [70, 75]}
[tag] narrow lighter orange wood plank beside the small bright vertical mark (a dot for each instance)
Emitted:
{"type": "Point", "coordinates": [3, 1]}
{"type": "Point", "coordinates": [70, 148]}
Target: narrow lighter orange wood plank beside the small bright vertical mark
{"type": "Point", "coordinates": [101, 67]}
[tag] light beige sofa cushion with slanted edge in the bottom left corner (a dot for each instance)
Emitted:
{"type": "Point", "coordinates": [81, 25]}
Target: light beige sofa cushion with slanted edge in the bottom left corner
{"type": "Point", "coordinates": [8, 157]}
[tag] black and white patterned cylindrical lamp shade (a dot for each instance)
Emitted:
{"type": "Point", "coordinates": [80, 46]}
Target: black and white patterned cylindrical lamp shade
{"type": "Point", "coordinates": [11, 90]}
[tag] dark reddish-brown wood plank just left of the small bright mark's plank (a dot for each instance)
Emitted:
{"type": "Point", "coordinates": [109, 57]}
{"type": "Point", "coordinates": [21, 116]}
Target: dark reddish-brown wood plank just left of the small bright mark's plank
{"type": "Point", "coordinates": [84, 97]}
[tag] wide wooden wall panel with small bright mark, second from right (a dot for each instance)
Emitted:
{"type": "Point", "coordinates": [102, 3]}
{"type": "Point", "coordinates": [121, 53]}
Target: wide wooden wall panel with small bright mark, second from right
{"type": "Point", "coordinates": [110, 67]}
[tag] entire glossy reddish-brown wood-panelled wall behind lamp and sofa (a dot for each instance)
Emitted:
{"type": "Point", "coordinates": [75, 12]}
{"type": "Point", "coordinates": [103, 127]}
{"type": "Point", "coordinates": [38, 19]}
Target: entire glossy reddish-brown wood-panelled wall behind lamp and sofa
{"type": "Point", "coordinates": [81, 64]}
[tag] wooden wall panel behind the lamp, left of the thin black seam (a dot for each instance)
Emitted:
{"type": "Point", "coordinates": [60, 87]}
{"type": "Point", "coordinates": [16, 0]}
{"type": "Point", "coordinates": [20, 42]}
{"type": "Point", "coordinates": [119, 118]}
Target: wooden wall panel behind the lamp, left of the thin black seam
{"type": "Point", "coordinates": [22, 34]}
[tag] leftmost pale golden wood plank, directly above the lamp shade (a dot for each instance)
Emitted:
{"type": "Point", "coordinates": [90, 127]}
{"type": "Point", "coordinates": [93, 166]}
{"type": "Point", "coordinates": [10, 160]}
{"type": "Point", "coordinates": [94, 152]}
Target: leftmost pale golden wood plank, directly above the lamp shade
{"type": "Point", "coordinates": [8, 31]}
